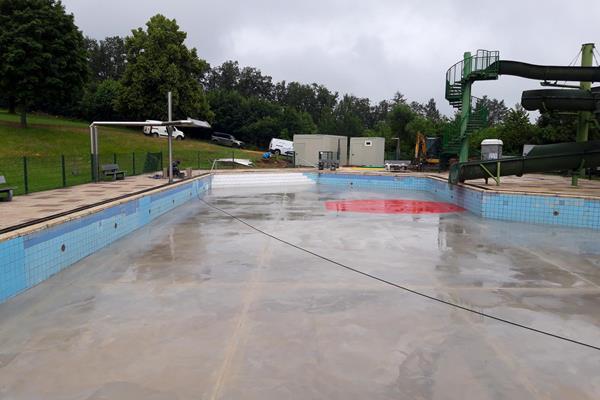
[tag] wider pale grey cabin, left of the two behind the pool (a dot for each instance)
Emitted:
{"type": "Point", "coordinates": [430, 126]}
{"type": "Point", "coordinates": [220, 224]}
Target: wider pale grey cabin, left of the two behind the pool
{"type": "Point", "coordinates": [307, 148]}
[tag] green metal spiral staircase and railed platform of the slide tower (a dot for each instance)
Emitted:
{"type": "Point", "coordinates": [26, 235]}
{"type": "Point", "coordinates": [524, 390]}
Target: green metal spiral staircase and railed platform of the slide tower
{"type": "Point", "coordinates": [459, 78]}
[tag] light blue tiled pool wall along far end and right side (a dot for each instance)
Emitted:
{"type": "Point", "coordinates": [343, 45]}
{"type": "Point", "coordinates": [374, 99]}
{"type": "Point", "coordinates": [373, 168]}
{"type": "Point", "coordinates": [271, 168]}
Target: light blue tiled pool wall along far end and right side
{"type": "Point", "coordinates": [539, 209]}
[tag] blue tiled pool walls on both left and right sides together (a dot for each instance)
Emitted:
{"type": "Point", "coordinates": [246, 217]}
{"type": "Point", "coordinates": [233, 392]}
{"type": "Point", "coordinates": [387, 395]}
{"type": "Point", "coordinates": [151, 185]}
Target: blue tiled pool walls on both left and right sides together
{"type": "Point", "coordinates": [29, 258]}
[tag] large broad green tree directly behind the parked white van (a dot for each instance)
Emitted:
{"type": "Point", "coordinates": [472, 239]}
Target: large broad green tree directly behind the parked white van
{"type": "Point", "coordinates": [159, 62]}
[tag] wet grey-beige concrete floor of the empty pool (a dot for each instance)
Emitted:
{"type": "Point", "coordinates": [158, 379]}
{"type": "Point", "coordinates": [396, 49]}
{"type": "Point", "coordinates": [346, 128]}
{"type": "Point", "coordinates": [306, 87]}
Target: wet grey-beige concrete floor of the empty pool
{"type": "Point", "coordinates": [198, 306]}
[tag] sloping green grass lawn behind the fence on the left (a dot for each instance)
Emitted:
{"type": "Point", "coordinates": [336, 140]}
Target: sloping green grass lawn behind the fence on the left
{"type": "Point", "coordinates": [47, 139]}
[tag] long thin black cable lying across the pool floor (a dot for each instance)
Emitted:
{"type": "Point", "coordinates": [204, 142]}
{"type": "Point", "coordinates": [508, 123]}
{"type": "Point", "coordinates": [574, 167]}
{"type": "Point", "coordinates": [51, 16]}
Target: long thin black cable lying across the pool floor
{"type": "Point", "coordinates": [448, 303]}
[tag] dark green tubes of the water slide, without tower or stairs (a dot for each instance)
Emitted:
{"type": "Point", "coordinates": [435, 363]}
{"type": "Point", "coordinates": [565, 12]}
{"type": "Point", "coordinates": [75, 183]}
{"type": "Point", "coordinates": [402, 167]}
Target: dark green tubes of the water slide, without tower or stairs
{"type": "Point", "coordinates": [542, 158]}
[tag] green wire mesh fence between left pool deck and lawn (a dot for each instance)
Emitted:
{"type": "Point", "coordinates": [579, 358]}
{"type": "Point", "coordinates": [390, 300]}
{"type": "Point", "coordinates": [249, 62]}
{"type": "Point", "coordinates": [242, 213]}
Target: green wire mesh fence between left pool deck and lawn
{"type": "Point", "coordinates": [36, 173]}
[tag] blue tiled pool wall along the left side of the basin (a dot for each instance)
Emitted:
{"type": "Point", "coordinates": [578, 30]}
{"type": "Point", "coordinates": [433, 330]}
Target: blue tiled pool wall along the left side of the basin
{"type": "Point", "coordinates": [28, 260]}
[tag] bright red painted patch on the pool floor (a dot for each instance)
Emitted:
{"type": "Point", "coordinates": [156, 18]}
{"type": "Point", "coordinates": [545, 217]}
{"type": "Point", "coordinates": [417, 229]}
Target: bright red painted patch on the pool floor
{"type": "Point", "coordinates": [393, 206]}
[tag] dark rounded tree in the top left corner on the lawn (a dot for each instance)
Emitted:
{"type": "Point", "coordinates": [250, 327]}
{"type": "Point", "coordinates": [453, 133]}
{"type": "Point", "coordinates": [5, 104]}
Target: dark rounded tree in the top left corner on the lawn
{"type": "Point", "coordinates": [42, 52]}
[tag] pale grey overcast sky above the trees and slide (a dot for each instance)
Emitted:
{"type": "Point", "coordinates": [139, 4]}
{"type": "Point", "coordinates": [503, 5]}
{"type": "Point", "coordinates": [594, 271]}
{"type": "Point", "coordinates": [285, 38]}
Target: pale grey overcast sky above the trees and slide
{"type": "Point", "coordinates": [367, 48]}
